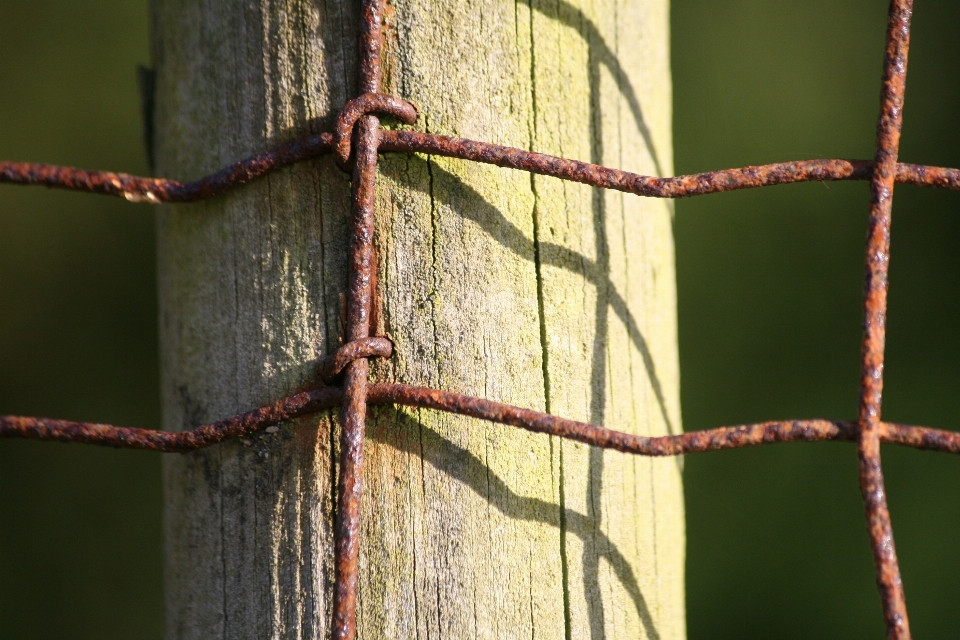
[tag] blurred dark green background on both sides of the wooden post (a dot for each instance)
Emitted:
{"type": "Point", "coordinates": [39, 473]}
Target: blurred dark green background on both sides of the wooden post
{"type": "Point", "coordinates": [769, 285]}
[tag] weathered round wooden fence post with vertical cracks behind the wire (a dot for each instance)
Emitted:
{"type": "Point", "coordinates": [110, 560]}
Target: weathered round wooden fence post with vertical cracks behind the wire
{"type": "Point", "coordinates": [523, 289]}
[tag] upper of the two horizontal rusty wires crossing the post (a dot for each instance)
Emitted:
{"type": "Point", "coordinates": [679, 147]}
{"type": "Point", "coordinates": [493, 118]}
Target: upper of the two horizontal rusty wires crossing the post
{"type": "Point", "coordinates": [159, 190]}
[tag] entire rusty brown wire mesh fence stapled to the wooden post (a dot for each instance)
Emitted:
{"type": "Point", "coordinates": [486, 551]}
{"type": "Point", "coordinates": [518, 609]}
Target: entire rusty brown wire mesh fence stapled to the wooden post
{"type": "Point", "coordinates": [356, 143]}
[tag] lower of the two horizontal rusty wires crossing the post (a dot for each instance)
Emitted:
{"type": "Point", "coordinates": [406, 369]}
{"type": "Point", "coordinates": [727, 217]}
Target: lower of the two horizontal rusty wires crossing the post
{"type": "Point", "coordinates": [391, 394]}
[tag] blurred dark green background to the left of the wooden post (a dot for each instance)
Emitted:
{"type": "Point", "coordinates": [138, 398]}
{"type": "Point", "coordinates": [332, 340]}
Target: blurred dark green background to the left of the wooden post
{"type": "Point", "coordinates": [80, 539]}
